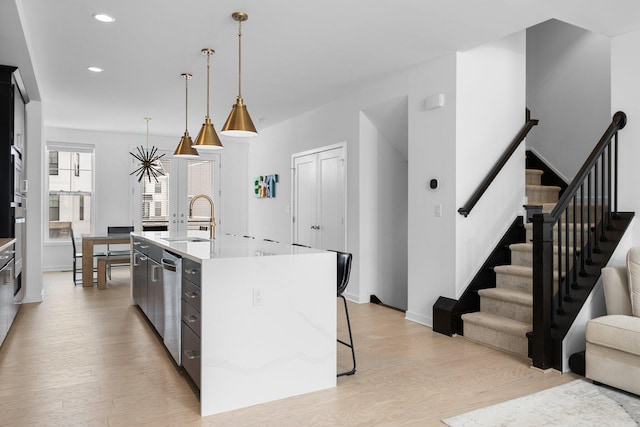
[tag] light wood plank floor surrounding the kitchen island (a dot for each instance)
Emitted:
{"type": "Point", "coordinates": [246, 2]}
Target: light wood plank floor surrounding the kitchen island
{"type": "Point", "coordinates": [86, 357]}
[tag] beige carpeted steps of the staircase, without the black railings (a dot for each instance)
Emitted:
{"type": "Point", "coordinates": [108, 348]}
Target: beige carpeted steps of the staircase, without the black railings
{"type": "Point", "coordinates": [506, 311]}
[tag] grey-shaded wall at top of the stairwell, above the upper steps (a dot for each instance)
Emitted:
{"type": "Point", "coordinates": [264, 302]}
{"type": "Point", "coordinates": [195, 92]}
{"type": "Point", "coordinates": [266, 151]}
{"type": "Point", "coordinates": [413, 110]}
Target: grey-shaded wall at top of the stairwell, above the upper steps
{"type": "Point", "coordinates": [568, 90]}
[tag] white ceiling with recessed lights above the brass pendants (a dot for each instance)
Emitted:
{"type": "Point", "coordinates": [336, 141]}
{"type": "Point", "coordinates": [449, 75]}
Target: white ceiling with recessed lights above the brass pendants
{"type": "Point", "coordinates": [296, 55]}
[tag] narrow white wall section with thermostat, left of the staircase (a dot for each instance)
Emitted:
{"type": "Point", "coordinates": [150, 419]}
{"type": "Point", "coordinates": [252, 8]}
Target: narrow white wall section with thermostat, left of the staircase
{"type": "Point", "coordinates": [432, 153]}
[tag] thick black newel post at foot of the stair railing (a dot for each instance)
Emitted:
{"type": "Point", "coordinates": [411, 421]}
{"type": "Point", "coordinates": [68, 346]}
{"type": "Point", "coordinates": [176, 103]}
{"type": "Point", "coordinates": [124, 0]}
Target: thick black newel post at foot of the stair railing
{"type": "Point", "coordinates": [542, 290]}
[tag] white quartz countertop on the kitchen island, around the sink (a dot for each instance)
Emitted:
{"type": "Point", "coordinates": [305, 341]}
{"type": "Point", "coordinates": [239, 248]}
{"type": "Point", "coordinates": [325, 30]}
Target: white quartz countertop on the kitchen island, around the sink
{"type": "Point", "coordinates": [197, 246]}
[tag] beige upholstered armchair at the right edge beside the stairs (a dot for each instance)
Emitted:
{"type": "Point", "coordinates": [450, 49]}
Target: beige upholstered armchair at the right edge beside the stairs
{"type": "Point", "coordinates": [613, 341]}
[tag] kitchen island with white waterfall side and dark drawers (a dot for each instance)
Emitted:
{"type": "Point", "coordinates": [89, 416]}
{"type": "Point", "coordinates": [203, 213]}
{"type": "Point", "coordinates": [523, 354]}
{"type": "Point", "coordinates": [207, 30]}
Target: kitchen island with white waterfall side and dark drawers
{"type": "Point", "coordinates": [258, 318]}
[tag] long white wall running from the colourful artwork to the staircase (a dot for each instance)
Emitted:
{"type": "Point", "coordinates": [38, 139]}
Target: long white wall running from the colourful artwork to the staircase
{"type": "Point", "coordinates": [493, 93]}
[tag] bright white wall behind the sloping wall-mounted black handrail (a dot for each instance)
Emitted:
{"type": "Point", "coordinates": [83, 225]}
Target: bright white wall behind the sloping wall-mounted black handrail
{"type": "Point", "coordinates": [491, 85]}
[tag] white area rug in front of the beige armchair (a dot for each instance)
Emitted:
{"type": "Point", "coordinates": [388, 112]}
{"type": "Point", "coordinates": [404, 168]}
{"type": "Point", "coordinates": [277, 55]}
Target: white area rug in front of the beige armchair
{"type": "Point", "coordinates": [578, 403]}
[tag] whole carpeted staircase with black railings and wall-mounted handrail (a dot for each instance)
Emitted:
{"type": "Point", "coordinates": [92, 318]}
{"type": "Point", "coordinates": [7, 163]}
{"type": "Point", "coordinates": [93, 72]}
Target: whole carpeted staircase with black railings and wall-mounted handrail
{"type": "Point", "coordinates": [529, 291]}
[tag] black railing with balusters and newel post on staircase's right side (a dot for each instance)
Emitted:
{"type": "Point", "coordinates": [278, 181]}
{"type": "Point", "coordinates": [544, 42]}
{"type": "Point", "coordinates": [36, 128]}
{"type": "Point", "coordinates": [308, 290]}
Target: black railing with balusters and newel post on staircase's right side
{"type": "Point", "coordinates": [562, 281]}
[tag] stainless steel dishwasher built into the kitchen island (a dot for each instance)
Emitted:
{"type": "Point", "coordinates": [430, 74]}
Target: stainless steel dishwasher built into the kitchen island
{"type": "Point", "coordinates": [172, 290]}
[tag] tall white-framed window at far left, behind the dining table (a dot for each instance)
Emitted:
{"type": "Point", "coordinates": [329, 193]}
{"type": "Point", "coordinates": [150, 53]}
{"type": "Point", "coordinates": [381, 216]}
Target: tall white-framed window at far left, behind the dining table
{"type": "Point", "coordinates": [70, 190]}
